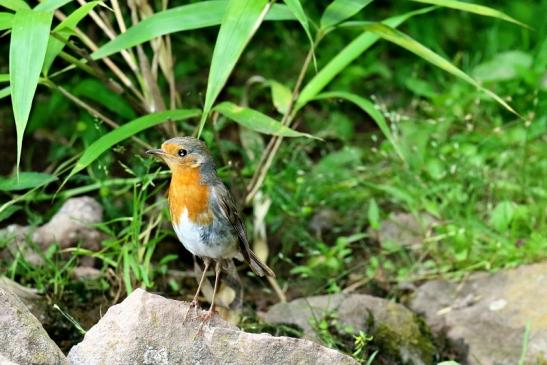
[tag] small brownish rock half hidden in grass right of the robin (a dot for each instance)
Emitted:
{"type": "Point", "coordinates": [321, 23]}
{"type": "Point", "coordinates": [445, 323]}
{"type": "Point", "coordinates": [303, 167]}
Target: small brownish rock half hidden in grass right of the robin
{"type": "Point", "coordinates": [403, 229]}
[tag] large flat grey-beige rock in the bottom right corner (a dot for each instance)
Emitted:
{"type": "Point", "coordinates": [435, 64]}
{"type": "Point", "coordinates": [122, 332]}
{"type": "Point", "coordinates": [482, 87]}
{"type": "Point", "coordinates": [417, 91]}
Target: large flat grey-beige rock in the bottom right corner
{"type": "Point", "coordinates": [484, 317]}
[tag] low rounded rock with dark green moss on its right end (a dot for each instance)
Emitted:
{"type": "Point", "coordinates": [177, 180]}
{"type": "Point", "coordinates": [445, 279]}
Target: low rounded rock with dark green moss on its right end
{"type": "Point", "coordinates": [400, 336]}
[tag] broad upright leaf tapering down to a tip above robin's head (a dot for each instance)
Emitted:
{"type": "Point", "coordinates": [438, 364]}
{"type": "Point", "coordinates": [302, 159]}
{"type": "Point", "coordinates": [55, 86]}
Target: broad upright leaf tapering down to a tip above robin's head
{"type": "Point", "coordinates": [239, 24]}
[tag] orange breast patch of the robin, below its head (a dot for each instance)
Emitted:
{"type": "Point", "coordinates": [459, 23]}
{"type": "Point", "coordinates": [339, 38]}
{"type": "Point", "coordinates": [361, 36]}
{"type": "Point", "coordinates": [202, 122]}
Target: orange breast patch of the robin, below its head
{"type": "Point", "coordinates": [186, 192]}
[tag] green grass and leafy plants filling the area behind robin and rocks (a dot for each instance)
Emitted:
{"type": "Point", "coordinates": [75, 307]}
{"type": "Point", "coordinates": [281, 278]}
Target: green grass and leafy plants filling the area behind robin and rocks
{"type": "Point", "coordinates": [392, 133]}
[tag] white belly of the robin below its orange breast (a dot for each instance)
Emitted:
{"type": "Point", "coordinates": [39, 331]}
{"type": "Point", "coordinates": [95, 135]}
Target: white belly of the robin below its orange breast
{"type": "Point", "coordinates": [189, 234]}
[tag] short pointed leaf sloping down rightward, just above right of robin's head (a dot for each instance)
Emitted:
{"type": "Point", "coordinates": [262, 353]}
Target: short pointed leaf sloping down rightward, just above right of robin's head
{"type": "Point", "coordinates": [256, 121]}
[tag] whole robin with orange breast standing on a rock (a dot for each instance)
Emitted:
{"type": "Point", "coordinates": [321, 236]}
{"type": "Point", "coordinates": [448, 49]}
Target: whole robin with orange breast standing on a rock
{"type": "Point", "coordinates": [203, 212]}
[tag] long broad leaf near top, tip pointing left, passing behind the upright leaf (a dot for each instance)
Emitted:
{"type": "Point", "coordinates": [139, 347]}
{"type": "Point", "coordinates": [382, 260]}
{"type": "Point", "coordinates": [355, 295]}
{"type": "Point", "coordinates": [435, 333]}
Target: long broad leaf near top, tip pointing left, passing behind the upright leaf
{"type": "Point", "coordinates": [187, 17]}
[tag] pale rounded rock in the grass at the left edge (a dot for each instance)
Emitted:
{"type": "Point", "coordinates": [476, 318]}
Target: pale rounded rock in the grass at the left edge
{"type": "Point", "coordinates": [71, 225]}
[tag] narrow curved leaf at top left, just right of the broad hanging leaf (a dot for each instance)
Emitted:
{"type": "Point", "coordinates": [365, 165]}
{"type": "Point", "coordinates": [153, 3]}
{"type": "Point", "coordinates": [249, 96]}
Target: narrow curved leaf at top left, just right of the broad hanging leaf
{"type": "Point", "coordinates": [65, 29]}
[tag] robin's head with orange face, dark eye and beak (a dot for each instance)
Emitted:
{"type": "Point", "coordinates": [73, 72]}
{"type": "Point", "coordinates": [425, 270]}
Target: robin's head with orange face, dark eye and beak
{"type": "Point", "coordinates": [183, 152]}
